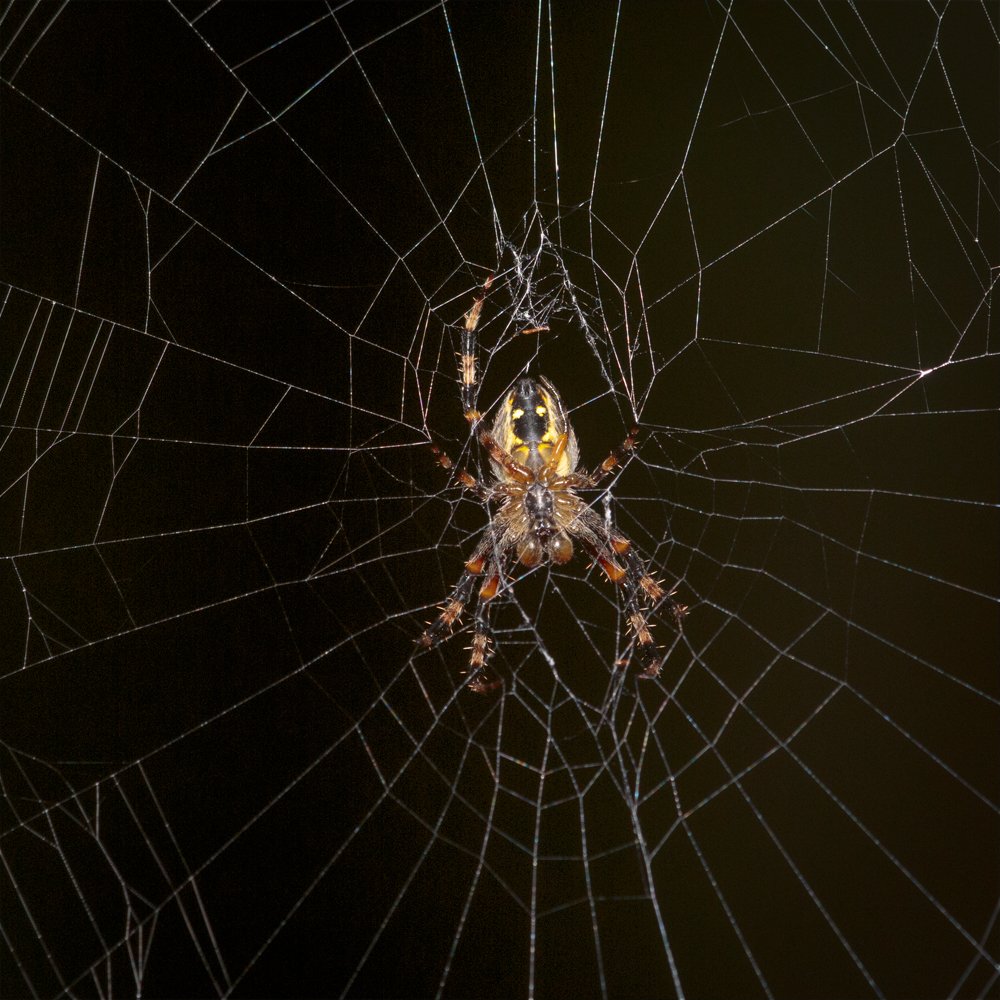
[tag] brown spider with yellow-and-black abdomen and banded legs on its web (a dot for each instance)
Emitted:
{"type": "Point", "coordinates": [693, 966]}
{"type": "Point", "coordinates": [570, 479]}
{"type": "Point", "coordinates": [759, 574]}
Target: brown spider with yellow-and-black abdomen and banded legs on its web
{"type": "Point", "coordinates": [537, 512]}
